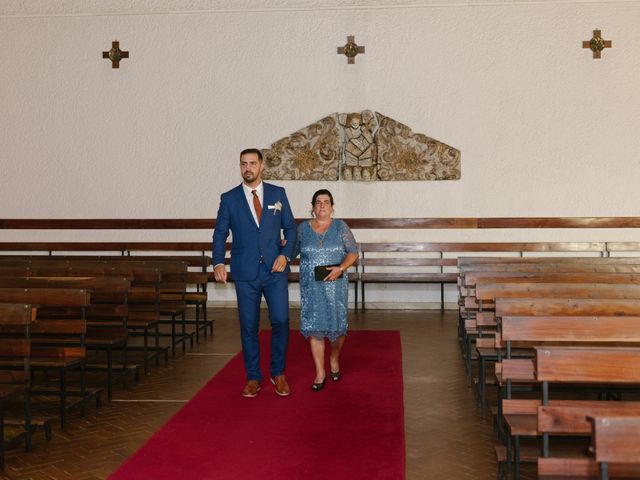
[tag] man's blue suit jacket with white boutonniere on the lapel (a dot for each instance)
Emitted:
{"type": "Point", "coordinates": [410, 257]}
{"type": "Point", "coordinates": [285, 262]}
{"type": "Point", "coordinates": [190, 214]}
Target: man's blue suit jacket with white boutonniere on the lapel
{"type": "Point", "coordinates": [250, 242]}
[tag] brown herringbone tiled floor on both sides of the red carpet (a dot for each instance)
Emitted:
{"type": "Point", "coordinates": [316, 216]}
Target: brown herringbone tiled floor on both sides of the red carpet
{"type": "Point", "coordinates": [445, 436]}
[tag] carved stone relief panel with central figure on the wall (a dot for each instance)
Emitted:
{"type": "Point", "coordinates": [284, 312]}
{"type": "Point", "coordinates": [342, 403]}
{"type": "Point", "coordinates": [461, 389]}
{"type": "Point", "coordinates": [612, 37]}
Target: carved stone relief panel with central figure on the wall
{"type": "Point", "coordinates": [360, 146]}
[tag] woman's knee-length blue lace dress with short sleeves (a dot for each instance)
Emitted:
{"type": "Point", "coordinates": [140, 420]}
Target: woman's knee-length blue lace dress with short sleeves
{"type": "Point", "coordinates": [324, 304]}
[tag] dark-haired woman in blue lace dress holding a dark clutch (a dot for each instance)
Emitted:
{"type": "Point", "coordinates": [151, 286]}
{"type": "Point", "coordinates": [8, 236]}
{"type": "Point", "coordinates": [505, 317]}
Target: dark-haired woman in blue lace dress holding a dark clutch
{"type": "Point", "coordinates": [324, 241]}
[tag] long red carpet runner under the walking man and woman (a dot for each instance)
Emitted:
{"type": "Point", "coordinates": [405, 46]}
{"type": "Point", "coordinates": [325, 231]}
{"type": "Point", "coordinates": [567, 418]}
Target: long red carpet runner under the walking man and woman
{"type": "Point", "coordinates": [353, 429]}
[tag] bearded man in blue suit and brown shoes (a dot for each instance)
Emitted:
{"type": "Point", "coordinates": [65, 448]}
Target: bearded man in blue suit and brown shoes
{"type": "Point", "coordinates": [256, 213]}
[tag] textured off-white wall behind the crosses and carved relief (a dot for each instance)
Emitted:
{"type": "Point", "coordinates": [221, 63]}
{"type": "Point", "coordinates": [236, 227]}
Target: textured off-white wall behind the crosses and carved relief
{"type": "Point", "coordinates": [544, 129]}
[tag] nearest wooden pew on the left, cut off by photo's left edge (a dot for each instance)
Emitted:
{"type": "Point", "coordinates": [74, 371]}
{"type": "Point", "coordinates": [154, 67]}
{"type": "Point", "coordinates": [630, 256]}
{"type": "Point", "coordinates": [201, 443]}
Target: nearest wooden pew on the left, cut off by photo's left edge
{"type": "Point", "coordinates": [15, 349]}
